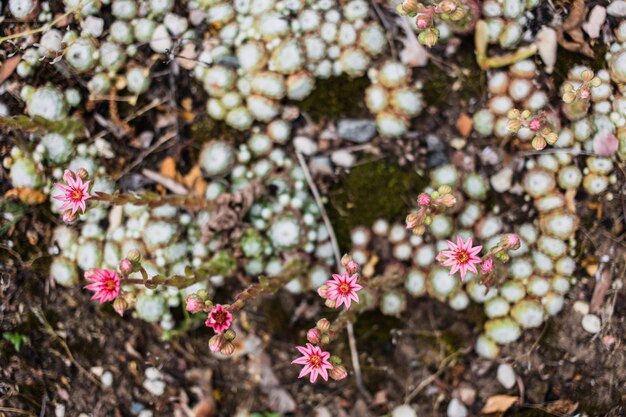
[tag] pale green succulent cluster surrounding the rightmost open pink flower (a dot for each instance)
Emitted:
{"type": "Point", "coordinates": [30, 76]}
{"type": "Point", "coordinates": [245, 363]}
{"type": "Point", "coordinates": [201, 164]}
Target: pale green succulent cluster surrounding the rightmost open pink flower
{"type": "Point", "coordinates": [531, 287]}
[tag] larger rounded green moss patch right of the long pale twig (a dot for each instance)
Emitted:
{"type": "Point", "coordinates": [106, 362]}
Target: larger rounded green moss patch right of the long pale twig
{"type": "Point", "coordinates": [369, 192]}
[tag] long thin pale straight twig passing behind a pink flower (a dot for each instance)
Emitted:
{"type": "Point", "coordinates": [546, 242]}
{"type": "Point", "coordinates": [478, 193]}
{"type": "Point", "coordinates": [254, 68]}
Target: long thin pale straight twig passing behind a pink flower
{"type": "Point", "coordinates": [354, 354]}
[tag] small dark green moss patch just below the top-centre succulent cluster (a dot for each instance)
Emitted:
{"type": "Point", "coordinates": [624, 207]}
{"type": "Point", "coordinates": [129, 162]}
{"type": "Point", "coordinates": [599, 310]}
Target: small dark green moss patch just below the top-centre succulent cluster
{"type": "Point", "coordinates": [336, 98]}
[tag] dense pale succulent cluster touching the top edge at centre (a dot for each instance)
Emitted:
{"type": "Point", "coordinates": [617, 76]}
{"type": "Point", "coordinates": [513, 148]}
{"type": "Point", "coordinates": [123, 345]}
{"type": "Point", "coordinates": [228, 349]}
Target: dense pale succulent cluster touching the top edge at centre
{"type": "Point", "coordinates": [270, 51]}
